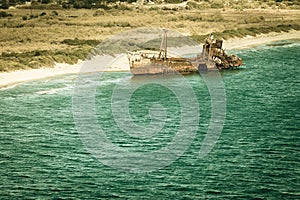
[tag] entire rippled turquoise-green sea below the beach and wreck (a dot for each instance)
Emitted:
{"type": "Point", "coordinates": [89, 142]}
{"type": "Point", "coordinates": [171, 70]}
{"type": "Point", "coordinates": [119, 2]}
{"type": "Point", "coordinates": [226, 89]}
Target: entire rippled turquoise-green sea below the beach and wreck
{"type": "Point", "coordinates": [112, 135]}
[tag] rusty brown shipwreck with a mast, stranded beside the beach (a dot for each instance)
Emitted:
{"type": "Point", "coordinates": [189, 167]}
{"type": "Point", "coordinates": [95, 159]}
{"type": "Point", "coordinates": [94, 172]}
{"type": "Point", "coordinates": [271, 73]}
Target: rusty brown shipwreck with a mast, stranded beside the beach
{"type": "Point", "coordinates": [212, 57]}
